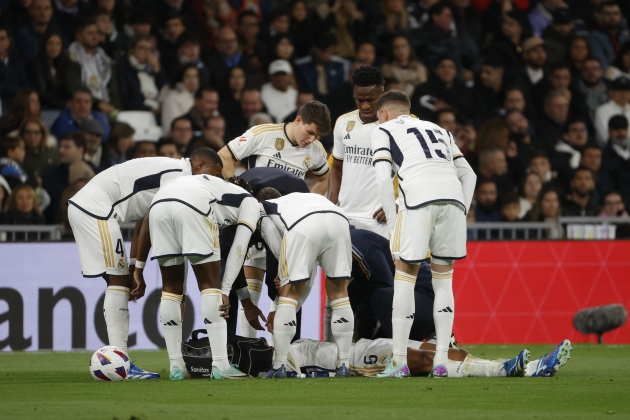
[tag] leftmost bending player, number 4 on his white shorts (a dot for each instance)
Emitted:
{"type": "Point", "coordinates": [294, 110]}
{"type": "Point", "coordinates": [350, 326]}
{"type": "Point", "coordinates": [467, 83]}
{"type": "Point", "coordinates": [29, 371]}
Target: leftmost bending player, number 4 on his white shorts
{"type": "Point", "coordinates": [120, 194]}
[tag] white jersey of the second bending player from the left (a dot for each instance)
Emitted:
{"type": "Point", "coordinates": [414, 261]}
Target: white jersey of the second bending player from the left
{"type": "Point", "coordinates": [227, 204]}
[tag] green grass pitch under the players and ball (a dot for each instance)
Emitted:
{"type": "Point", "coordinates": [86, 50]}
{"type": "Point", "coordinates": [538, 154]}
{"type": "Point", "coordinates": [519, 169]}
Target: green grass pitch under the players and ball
{"type": "Point", "coordinates": [595, 383]}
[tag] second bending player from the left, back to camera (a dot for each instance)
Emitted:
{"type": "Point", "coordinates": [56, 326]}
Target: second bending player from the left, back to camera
{"type": "Point", "coordinates": [184, 221]}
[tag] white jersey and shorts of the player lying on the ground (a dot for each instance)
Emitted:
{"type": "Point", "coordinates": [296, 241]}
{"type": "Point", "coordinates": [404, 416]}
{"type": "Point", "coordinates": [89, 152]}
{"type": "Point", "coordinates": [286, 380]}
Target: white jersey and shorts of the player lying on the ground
{"type": "Point", "coordinates": [367, 357]}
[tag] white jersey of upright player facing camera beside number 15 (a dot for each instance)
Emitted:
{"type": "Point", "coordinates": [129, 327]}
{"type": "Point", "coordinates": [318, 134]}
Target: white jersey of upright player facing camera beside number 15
{"type": "Point", "coordinates": [358, 195]}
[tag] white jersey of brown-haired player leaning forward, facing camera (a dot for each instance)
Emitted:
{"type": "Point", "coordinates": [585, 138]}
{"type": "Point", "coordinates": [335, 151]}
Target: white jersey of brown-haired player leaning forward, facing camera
{"type": "Point", "coordinates": [268, 145]}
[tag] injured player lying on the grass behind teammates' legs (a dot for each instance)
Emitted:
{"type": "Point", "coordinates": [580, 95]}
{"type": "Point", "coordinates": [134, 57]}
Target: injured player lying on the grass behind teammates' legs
{"type": "Point", "coordinates": [370, 357]}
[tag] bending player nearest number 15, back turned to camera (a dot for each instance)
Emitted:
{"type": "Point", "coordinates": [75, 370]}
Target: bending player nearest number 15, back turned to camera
{"type": "Point", "coordinates": [313, 231]}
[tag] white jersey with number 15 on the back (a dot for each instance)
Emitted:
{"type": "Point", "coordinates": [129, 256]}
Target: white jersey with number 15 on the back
{"type": "Point", "coordinates": [422, 155]}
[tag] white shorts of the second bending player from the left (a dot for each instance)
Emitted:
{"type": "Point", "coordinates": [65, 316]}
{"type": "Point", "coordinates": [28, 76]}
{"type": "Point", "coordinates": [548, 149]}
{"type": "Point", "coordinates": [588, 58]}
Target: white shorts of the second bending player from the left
{"type": "Point", "coordinates": [178, 231]}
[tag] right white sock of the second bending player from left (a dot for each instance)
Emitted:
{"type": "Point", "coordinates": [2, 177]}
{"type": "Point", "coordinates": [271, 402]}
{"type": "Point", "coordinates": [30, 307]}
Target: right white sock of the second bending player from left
{"type": "Point", "coordinates": [216, 326]}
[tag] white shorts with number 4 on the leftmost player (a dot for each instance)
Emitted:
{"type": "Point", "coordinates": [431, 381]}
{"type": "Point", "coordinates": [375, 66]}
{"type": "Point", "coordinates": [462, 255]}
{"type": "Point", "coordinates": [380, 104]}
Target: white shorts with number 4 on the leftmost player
{"type": "Point", "coordinates": [100, 242]}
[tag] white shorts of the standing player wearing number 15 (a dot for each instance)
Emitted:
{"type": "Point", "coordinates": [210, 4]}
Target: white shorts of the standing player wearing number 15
{"type": "Point", "coordinates": [439, 227]}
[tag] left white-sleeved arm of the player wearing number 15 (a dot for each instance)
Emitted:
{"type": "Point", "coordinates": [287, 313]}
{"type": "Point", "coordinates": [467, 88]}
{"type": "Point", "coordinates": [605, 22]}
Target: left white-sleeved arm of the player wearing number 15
{"type": "Point", "coordinates": [382, 162]}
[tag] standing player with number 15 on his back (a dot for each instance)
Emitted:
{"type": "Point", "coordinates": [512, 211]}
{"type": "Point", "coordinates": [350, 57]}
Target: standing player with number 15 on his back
{"type": "Point", "coordinates": [436, 186]}
